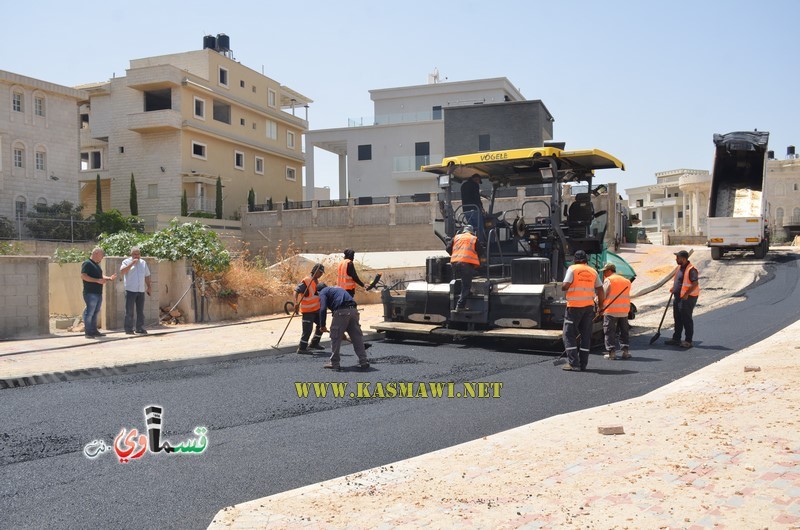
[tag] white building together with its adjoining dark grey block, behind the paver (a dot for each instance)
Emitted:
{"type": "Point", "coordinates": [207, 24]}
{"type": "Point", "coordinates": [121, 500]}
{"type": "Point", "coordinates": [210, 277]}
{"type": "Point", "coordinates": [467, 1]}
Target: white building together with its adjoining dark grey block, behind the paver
{"type": "Point", "coordinates": [381, 155]}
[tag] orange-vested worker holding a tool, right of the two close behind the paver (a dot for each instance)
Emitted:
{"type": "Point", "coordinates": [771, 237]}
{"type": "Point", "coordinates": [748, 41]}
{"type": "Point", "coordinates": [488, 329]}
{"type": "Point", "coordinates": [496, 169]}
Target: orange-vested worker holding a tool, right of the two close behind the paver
{"type": "Point", "coordinates": [617, 290]}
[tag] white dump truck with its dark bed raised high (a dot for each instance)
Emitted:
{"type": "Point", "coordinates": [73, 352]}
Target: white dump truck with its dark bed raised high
{"type": "Point", "coordinates": [737, 207]}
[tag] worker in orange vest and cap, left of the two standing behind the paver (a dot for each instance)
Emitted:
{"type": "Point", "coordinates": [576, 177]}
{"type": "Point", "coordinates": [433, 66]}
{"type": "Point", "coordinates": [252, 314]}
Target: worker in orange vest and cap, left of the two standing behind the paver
{"type": "Point", "coordinates": [582, 284]}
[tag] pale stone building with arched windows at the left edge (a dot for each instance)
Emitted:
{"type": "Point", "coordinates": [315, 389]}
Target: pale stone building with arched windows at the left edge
{"type": "Point", "coordinates": [39, 155]}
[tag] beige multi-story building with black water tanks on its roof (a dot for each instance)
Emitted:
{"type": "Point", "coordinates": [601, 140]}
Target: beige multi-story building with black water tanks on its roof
{"type": "Point", "coordinates": [177, 122]}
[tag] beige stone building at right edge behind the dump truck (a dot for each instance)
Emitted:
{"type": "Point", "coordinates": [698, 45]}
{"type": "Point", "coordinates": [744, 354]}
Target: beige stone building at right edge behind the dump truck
{"type": "Point", "coordinates": [783, 195]}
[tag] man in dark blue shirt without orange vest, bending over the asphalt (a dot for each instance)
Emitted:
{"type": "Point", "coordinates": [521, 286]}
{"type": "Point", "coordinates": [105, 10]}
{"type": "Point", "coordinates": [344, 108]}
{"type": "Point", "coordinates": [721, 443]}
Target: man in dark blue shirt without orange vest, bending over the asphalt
{"type": "Point", "coordinates": [345, 319]}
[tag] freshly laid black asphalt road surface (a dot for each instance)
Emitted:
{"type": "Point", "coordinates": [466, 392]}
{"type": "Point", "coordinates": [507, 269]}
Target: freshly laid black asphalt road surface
{"type": "Point", "coordinates": [263, 439]}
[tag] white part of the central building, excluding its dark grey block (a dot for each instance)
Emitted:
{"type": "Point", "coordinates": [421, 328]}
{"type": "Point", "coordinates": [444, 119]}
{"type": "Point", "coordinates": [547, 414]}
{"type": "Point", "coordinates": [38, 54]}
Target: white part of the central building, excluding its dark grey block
{"type": "Point", "coordinates": [381, 155]}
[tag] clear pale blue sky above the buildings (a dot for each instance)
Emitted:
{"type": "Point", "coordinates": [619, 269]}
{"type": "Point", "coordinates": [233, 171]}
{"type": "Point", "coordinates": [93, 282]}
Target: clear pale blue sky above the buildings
{"type": "Point", "coordinates": [649, 82]}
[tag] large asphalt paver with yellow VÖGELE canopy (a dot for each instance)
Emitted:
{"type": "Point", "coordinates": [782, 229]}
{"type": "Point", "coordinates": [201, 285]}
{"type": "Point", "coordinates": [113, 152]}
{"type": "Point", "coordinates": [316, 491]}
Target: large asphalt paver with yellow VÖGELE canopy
{"type": "Point", "coordinates": [516, 295]}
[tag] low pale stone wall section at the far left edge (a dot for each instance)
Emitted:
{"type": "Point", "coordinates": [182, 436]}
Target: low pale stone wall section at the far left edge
{"type": "Point", "coordinates": [23, 296]}
